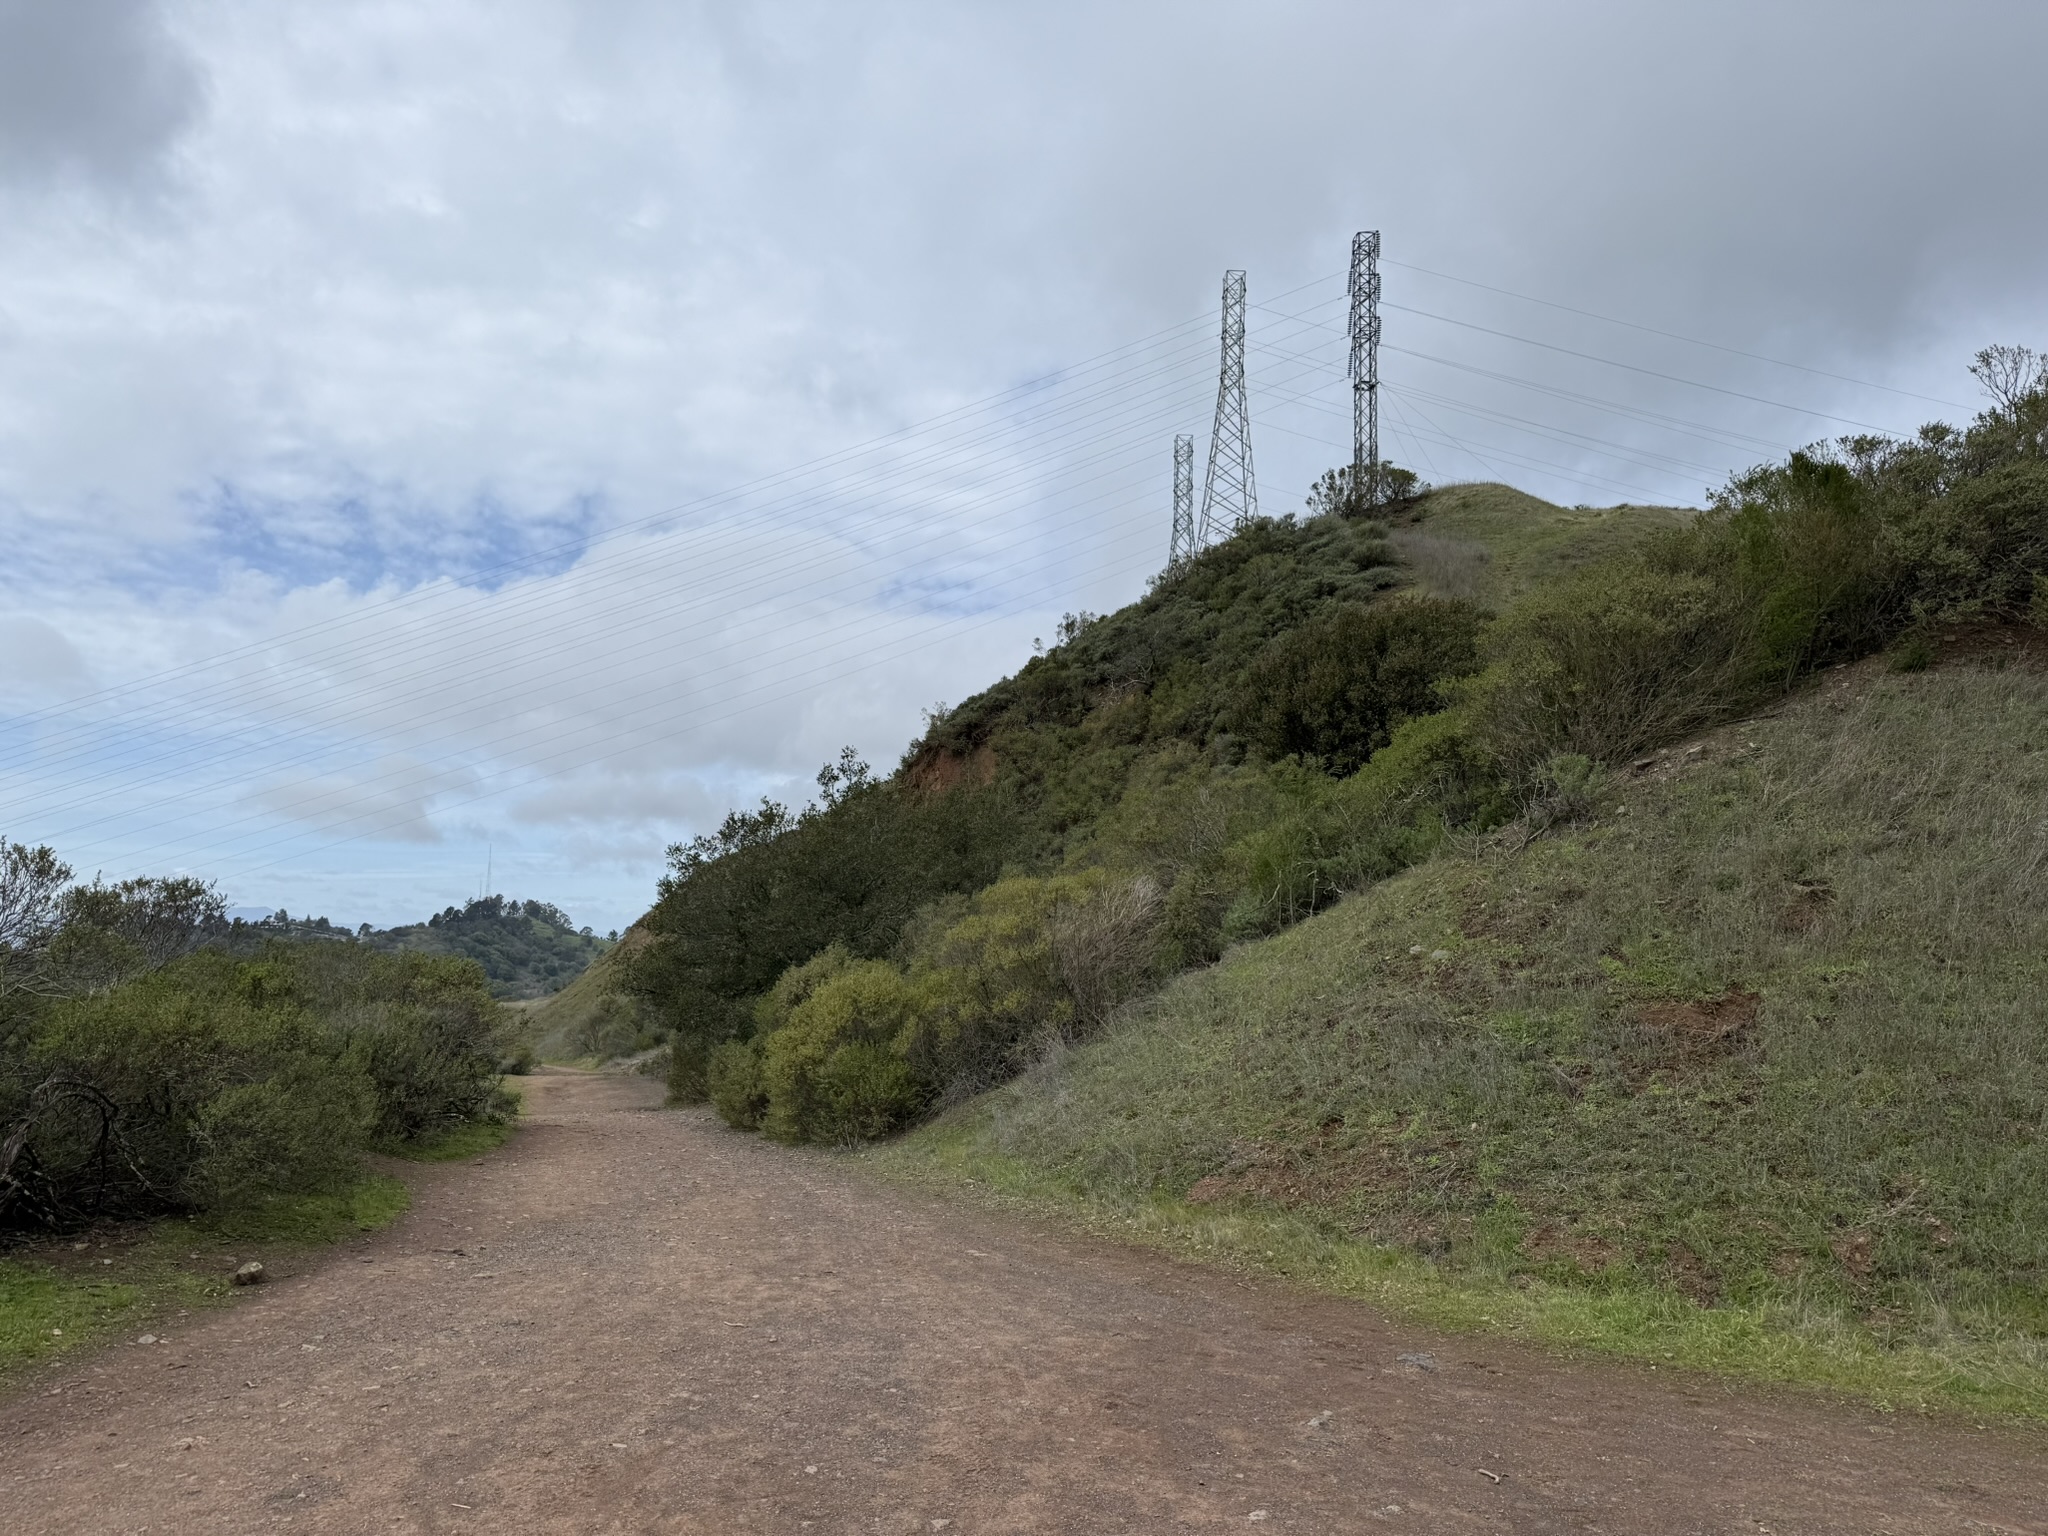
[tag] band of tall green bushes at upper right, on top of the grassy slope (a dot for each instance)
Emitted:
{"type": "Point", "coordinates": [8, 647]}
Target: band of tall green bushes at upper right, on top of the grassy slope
{"type": "Point", "coordinates": [1824, 558]}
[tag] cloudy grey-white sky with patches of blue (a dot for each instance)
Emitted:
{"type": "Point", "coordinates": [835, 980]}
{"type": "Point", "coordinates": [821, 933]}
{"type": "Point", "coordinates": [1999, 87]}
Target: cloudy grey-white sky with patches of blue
{"type": "Point", "coordinates": [445, 437]}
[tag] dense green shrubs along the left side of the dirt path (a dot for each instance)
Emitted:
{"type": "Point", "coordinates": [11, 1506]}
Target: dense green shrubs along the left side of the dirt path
{"type": "Point", "coordinates": [163, 1076]}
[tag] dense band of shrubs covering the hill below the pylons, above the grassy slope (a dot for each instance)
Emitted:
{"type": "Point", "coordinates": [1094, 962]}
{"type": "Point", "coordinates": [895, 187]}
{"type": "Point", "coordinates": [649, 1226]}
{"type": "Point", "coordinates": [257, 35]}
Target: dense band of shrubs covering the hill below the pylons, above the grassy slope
{"type": "Point", "coordinates": [1267, 732]}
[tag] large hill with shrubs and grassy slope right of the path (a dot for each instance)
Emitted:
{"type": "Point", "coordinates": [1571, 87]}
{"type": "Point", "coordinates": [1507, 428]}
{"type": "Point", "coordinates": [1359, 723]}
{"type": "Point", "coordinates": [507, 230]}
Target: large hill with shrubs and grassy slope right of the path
{"type": "Point", "coordinates": [1627, 919]}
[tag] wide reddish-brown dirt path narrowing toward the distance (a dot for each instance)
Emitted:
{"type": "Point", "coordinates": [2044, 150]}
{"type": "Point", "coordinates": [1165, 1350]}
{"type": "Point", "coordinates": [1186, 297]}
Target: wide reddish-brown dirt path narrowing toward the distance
{"type": "Point", "coordinates": [636, 1322]}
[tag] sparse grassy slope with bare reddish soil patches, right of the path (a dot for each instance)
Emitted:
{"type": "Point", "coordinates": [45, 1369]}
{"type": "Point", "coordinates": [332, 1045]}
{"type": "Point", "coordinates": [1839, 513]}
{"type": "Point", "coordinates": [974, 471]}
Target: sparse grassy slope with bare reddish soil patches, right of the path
{"type": "Point", "coordinates": [1742, 1074]}
